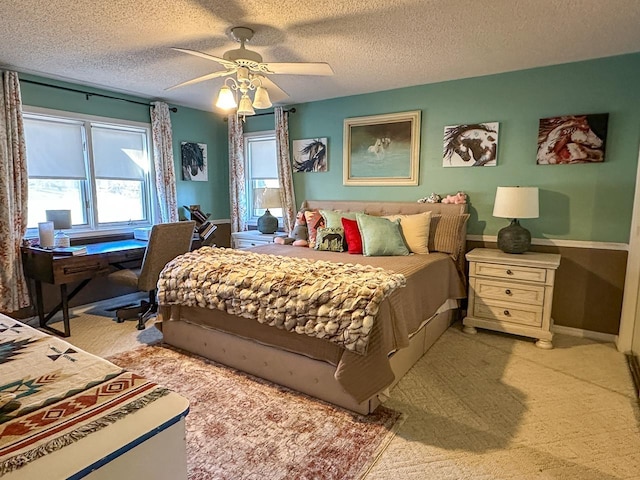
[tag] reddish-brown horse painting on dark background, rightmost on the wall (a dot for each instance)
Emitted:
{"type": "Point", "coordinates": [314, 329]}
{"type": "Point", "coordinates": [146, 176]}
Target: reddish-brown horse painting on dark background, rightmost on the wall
{"type": "Point", "coordinates": [572, 139]}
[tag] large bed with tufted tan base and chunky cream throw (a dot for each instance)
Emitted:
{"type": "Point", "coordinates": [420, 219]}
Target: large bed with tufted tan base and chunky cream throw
{"type": "Point", "coordinates": [352, 365]}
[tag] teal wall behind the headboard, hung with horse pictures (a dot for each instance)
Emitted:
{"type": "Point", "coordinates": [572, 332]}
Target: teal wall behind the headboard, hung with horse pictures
{"type": "Point", "coordinates": [578, 202]}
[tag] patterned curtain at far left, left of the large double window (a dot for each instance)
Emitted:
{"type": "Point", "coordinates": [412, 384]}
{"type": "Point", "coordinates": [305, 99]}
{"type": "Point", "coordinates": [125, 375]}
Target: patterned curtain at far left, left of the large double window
{"type": "Point", "coordinates": [14, 293]}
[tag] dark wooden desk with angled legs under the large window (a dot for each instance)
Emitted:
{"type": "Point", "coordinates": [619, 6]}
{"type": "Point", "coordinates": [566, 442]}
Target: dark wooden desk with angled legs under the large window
{"type": "Point", "coordinates": [43, 266]}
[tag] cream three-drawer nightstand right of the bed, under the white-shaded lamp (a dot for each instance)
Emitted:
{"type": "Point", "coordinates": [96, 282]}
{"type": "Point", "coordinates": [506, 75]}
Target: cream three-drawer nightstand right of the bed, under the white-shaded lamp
{"type": "Point", "coordinates": [511, 293]}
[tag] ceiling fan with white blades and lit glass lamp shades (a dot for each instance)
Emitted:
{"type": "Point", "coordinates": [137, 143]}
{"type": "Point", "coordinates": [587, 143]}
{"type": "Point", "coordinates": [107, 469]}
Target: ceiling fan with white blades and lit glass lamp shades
{"type": "Point", "coordinates": [251, 74]}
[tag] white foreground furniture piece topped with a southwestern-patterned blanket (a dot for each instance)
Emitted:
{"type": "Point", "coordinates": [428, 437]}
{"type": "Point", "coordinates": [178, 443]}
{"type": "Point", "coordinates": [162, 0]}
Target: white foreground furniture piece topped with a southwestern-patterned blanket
{"type": "Point", "coordinates": [65, 413]}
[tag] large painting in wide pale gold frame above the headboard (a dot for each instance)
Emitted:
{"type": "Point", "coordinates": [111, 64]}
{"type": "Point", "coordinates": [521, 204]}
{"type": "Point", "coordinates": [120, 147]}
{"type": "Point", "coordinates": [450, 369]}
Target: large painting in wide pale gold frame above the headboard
{"type": "Point", "coordinates": [382, 149]}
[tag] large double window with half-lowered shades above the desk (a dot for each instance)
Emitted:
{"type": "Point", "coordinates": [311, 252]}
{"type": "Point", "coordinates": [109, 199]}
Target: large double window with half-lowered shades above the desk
{"type": "Point", "coordinates": [98, 168]}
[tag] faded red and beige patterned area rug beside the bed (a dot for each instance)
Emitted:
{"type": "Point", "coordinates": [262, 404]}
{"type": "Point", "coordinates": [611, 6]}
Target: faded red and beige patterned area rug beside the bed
{"type": "Point", "coordinates": [242, 427]}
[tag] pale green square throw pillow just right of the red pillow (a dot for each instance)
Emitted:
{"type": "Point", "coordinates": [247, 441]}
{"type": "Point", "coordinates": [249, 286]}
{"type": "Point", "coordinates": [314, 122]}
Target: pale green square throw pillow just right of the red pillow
{"type": "Point", "coordinates": [380, 236]}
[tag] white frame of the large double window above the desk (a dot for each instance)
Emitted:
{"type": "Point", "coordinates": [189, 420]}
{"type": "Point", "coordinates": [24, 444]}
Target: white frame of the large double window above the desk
{"type": "Point", "coordinates": [149, 191]}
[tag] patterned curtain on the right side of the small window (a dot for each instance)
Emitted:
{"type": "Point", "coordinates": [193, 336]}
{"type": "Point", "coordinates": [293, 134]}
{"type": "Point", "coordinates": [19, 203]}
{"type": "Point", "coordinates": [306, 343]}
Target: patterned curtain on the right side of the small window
{"type": "Point", "coordinates": [287, 195]}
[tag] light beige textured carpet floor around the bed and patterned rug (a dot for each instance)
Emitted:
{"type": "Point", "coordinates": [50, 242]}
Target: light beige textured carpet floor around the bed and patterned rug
{"type": "Point", "coordinates": [489, 406]}
